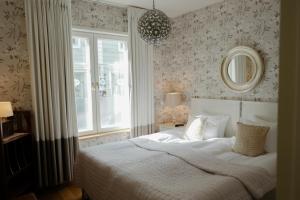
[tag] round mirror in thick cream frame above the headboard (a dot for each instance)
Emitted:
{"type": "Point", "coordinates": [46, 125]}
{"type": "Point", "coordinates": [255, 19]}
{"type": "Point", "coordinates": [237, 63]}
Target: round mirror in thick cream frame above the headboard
{"type": "Point", "coordinates": [242, 69]}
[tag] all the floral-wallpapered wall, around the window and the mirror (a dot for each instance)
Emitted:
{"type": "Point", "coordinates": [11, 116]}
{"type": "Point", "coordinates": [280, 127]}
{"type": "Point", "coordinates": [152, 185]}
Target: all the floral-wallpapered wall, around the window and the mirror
{"type": "Point", "coordinates": [188, 61]}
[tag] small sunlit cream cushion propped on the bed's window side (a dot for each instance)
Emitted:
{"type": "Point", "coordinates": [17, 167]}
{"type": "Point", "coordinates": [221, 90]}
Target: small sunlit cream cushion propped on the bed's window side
{"type": "Point", "coordinates": [194, 128]}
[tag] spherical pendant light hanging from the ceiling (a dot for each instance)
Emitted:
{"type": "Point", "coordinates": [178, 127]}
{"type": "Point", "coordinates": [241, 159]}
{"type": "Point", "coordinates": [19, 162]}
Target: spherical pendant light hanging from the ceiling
{"type": "Point", "coordinates": [154, 26]}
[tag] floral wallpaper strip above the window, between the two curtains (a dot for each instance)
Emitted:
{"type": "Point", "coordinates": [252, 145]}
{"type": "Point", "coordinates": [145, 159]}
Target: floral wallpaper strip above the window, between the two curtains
{"type": "Point", "coordinates": [93, 14]}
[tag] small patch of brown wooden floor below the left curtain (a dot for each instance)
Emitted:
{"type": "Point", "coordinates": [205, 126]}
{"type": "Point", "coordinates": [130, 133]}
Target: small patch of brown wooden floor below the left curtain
{"type": "Point", "coordinates": [65, 193]}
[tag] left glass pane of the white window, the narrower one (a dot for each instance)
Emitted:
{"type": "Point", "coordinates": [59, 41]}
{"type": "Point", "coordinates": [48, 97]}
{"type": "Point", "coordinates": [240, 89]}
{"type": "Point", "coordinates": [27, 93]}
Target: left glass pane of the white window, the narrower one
{"type": "Point", "coordinates": [83, 92]}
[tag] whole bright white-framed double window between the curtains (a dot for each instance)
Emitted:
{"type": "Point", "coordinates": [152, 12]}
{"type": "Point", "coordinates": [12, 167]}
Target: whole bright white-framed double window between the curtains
{"type": "Point", "coordinates": [101, 82]}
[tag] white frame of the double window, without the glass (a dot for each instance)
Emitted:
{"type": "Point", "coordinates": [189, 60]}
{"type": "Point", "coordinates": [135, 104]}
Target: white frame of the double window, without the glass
{"type": "Point", "coordinates": [93, 37]}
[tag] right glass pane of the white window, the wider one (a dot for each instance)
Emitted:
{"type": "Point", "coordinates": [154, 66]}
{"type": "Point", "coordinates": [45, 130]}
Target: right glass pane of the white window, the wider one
{"type": "Point", "coordinates": [113, 83]}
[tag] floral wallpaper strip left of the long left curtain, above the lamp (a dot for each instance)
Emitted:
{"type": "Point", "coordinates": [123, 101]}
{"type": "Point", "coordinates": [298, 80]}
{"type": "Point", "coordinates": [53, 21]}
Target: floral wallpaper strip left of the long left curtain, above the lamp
{"type": "Point", "coordinates": [14, 60]}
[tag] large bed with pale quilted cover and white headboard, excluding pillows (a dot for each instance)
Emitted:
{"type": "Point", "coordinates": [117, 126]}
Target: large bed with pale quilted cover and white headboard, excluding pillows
{"type": "Point", "coordinates": [165, 166]}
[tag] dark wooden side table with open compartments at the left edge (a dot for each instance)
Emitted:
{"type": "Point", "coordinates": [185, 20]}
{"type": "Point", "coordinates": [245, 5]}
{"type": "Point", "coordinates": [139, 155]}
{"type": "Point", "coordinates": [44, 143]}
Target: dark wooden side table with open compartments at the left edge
{"type": "Point", "coordinates": [16, 164]}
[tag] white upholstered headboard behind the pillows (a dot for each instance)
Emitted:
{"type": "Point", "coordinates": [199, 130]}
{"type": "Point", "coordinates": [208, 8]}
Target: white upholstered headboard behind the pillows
{"type": "Point", "coordinates": [234, 109]}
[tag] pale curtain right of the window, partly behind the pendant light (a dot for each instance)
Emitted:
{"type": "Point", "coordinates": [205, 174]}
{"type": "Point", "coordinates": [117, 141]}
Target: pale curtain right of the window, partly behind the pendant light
{"type": "Point", "coordinates": [141, 76]}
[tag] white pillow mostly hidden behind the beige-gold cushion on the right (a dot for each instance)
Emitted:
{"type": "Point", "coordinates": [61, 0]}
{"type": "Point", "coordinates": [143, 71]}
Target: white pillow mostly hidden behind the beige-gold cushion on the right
{"type": "Point", "coordinates": [271, 141]}
